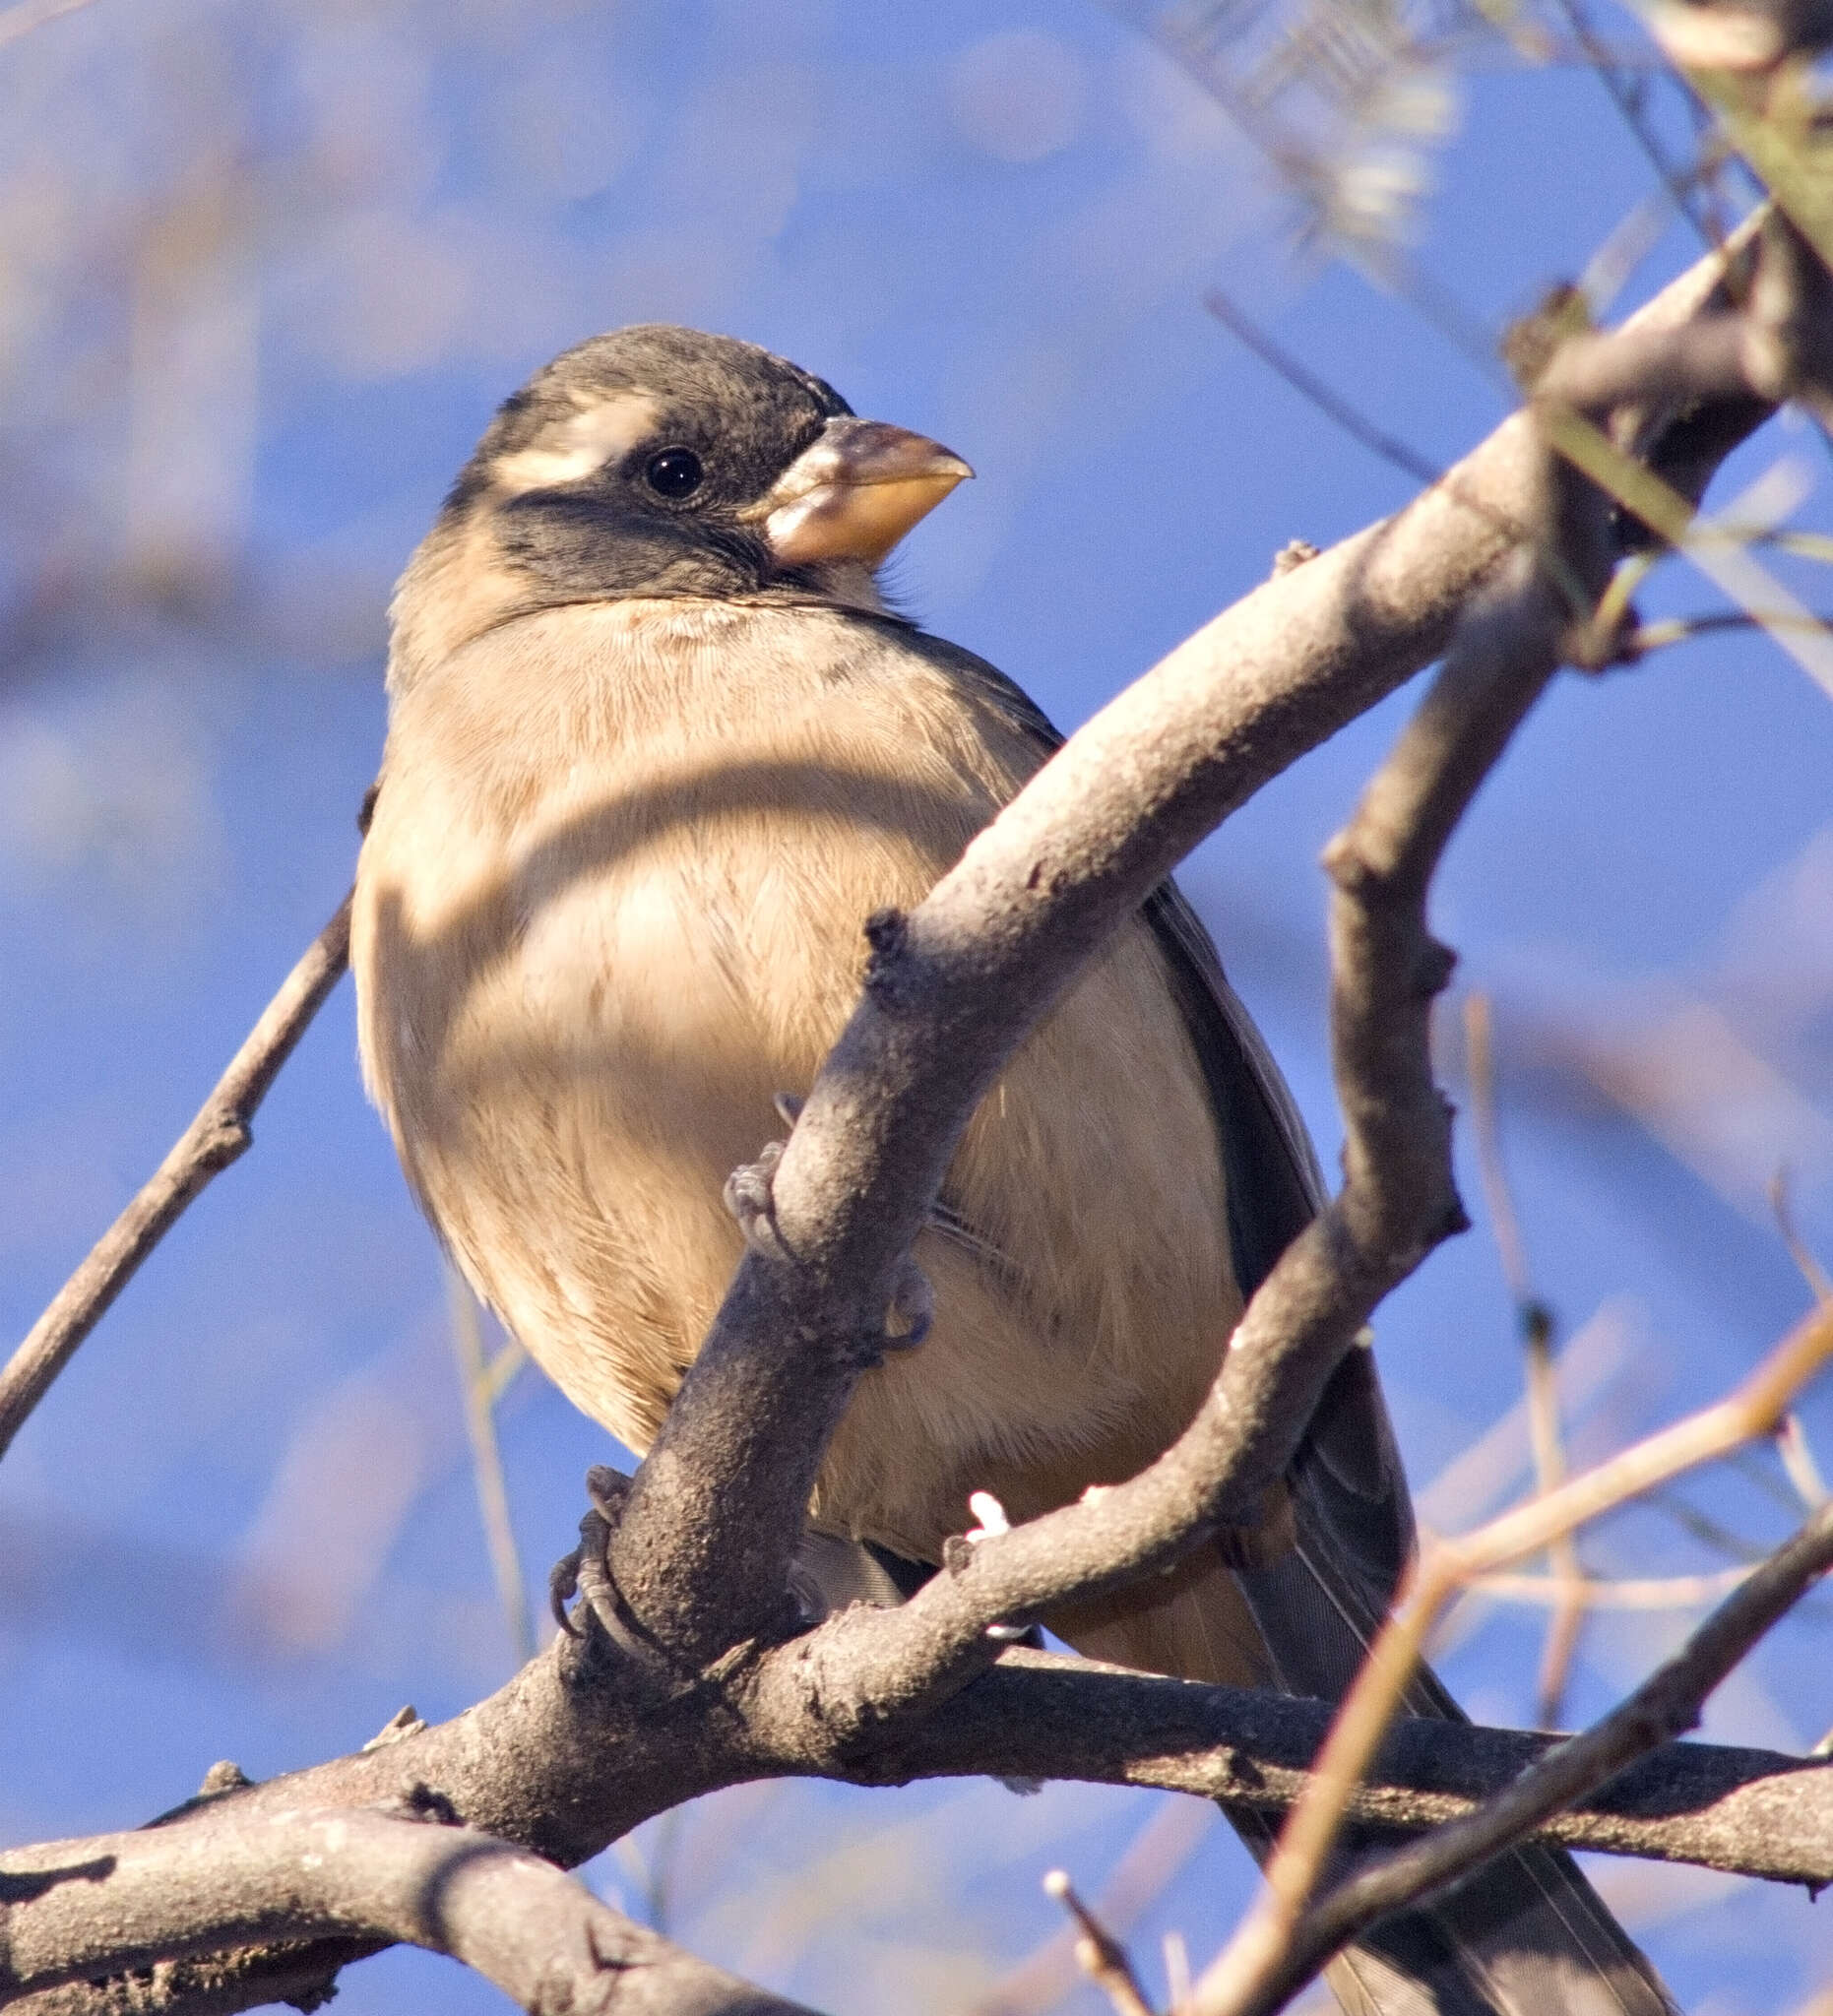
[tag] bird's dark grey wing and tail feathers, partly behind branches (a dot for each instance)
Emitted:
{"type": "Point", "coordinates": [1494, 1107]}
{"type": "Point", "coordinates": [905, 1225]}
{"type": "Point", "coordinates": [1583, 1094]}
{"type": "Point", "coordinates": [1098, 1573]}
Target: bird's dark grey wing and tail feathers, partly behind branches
{"type": "Point", "coordinates": [1527, 1936]}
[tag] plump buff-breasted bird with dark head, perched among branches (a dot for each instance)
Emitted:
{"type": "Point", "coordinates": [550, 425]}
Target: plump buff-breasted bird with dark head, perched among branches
{"type": "Point", "coordinates": [658, 747]}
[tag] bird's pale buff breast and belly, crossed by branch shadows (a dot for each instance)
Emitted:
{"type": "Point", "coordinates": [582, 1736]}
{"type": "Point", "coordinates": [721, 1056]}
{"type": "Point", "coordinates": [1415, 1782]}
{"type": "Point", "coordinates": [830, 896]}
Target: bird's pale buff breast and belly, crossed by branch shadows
{"type": "Point", "coordinates": [580, 1001]}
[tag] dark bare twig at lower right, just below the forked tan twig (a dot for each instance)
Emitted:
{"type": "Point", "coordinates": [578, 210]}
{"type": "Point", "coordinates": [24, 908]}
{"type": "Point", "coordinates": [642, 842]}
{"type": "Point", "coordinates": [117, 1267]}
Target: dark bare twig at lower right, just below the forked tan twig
{"type": "Point", "coordinates": [1665, 1707]}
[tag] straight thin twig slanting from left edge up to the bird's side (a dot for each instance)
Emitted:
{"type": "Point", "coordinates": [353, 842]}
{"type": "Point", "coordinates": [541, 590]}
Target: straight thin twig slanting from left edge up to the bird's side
{"type": "Point", "coordinates": [211, 1144]}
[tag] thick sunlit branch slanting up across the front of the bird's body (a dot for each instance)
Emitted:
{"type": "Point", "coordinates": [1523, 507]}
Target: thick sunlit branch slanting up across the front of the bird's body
{"type": "Point", "coordinates": [703, 1551]}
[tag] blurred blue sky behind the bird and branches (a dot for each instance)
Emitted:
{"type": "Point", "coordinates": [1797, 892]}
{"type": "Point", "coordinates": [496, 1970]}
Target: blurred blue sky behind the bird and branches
{"type": "Point", "coordinates": [265, 275]}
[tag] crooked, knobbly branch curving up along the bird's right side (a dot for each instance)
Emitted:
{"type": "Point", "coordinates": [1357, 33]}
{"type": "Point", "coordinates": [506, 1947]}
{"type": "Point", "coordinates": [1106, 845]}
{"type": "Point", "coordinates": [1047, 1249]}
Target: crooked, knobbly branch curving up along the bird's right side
{"type": "Point", "coordinates": [1396, 1205]}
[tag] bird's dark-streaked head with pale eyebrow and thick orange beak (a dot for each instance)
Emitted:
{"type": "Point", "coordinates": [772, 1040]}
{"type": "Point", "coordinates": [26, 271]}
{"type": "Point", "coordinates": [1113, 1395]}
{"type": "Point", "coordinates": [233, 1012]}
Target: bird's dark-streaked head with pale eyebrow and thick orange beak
{"type": "Point", "coordinates": [664, 463]}
